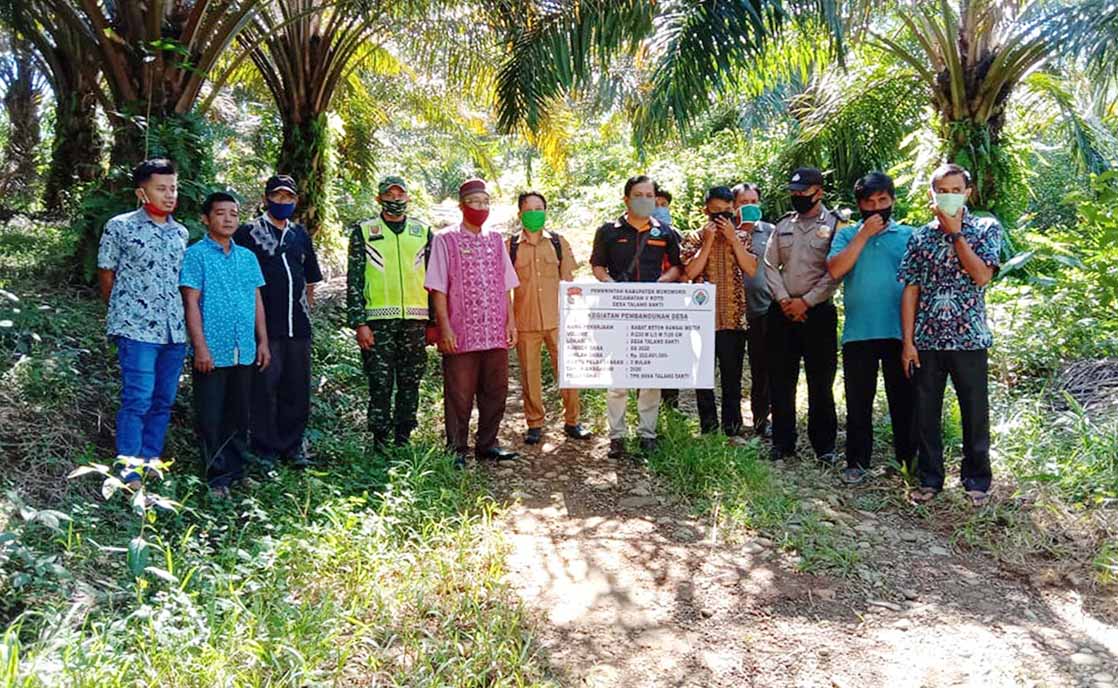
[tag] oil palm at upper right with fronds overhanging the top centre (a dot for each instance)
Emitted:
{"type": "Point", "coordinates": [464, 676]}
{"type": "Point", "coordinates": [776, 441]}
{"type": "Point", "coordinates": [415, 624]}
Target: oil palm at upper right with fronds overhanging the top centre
{"type": "Point", "coordinates": [970, 54]}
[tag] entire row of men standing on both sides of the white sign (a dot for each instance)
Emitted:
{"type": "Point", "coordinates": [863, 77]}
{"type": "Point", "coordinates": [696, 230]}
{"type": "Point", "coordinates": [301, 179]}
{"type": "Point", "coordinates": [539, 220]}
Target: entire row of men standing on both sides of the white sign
{"type": "Point", "coordinates": [914, 303]}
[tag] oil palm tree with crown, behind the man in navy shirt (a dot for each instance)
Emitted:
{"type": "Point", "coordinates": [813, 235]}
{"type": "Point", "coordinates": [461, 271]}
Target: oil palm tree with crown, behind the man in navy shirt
{"type": "Point", "coordinates": [307, 54]}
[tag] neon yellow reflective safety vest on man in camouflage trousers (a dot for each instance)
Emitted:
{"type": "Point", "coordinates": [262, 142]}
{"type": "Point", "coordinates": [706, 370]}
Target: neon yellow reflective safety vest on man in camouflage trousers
{"type": "Point", "coordinates": [395, 269]}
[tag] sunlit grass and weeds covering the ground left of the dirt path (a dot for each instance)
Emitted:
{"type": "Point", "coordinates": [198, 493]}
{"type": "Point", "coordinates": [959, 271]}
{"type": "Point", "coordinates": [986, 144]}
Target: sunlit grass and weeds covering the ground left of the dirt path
{"type": "Point", "coordinates": [367, 570]}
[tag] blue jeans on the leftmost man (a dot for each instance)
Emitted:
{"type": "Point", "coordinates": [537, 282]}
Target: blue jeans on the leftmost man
{"type": "Point", "coordinates": [149, 382]}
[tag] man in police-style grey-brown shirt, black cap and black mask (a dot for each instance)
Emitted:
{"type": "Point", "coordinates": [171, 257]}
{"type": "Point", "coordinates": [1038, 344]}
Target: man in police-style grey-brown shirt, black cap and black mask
{"type": "Point", "coordinates": [803, 322]}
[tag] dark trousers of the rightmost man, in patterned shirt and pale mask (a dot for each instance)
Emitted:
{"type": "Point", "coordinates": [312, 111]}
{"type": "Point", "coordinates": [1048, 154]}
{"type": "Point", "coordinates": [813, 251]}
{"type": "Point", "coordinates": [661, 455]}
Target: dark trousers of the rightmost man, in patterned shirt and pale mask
{"type": "Point", "coordinates": [968, 371]}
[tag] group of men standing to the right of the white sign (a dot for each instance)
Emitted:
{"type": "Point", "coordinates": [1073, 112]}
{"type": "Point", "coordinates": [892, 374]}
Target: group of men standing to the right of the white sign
{"type": "Point", "coordinates": [914, 305]}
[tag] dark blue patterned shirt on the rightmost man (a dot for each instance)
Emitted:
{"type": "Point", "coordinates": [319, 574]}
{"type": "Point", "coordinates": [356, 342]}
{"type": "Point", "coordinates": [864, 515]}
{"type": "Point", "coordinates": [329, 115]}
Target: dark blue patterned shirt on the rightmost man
{"type": "Point", "coordinates": [951, 314]}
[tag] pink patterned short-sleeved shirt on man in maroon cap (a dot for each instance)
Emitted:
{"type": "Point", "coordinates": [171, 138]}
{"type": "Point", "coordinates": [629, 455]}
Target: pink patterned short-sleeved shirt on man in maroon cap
{"type": "Point", "coordinates": [476, 274]}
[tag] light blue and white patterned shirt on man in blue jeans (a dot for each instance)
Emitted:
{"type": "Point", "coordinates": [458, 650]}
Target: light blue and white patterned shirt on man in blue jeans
{"type": "Point", "coordinates": [146, 304]}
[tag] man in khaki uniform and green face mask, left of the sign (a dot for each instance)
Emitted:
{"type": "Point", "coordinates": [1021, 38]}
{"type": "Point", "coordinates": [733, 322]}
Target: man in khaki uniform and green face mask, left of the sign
{"type": "Point", "coordinates": [542, 259]}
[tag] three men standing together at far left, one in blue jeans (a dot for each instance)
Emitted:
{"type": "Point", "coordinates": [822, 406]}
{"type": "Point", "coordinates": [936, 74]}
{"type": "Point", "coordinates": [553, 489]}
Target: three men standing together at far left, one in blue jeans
{"type": "Point", "coordinates": [238, 300]}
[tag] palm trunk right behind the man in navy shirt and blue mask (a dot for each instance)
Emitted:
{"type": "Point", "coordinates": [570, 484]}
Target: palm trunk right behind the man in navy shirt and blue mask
{"type": "Point", "coordinates": [308, 157]}
